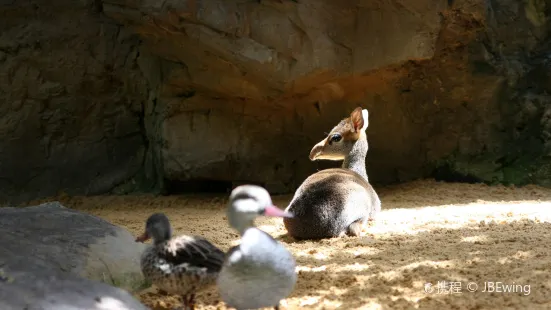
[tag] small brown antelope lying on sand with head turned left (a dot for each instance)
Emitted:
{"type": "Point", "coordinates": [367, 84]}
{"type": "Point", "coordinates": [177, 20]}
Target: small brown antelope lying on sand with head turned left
{"type": "Point", "coordinates": [336, 201]}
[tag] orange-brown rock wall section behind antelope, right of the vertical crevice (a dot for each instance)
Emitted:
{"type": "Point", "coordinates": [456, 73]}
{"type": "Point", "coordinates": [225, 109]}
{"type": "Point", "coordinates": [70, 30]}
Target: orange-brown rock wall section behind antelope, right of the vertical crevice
{"type": "Point", "coordinates": [455, 89]}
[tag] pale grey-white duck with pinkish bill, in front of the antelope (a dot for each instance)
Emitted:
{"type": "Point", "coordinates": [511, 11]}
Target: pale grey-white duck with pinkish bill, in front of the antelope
{"type": "Point", "coordinates": [259, 272]}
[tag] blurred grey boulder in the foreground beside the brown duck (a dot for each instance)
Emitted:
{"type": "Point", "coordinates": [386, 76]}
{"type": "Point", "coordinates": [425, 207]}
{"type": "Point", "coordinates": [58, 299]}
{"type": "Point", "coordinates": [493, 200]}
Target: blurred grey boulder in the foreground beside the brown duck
{"type": "Point", "coordinates": [52, 237]}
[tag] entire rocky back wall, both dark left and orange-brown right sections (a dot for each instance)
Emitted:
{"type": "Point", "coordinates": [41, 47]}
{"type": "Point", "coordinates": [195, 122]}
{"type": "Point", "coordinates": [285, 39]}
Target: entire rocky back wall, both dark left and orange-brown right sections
{"type": "Point", "coordinates": [120, 96]}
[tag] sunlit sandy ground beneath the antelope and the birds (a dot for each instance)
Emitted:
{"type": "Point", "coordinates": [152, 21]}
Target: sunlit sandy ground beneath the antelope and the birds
{"type": "Point", "coordinates": [428, 232]}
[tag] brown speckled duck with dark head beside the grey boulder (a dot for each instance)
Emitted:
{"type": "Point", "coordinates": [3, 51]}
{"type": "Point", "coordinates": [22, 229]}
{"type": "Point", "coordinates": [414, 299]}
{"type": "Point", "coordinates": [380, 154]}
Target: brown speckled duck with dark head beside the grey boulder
{"type": "Point", "coordinates": [180, 265]}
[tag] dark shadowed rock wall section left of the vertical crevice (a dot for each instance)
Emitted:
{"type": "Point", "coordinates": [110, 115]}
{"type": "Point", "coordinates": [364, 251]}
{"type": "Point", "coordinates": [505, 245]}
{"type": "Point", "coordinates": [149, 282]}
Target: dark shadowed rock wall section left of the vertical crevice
{"type": "Point", "coordinates": [72, 99]}
